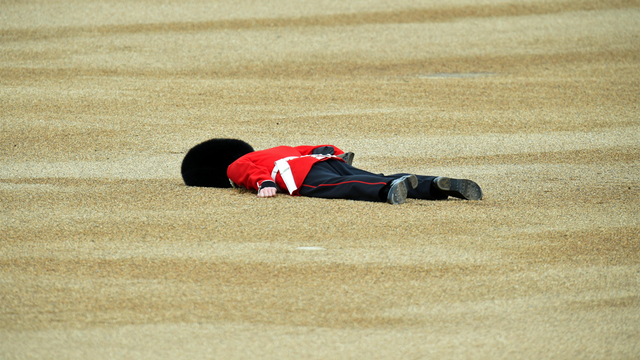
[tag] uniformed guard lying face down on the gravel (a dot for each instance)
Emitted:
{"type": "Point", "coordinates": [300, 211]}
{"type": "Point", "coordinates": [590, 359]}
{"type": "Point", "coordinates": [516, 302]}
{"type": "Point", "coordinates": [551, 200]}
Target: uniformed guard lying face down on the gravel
{"type": "Point", "coordinates": [322, 171]}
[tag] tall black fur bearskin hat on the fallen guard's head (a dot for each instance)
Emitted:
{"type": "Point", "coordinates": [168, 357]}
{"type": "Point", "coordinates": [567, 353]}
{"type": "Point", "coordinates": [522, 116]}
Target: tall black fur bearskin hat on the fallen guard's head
{"type": "Point", "coordinates": [206, 163]}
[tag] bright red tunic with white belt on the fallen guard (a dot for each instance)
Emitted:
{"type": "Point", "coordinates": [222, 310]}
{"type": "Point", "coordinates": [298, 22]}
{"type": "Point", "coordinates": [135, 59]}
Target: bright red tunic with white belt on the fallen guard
{"type": "Point", "coordinates": [253, 168]}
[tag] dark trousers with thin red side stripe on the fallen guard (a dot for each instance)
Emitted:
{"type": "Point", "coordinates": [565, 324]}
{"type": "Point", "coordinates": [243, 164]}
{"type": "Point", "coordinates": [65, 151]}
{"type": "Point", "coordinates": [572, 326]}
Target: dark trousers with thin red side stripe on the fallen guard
{"type": "Point", "coordinates": [334, 179]}
